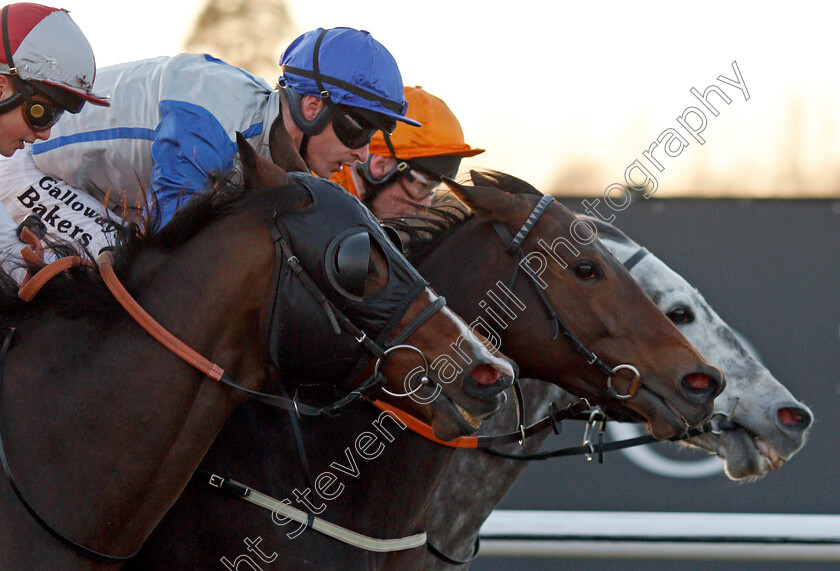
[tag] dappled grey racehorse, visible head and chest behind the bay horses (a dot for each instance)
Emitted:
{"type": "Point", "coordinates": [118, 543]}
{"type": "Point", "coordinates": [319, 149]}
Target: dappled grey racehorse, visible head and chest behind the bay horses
{"type": "Point", "coordinates": [758, 426]}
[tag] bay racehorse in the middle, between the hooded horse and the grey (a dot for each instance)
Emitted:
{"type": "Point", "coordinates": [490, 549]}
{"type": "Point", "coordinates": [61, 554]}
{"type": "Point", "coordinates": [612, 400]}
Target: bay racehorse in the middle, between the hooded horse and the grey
{"type": "Point", "coordinates": [389, 497]}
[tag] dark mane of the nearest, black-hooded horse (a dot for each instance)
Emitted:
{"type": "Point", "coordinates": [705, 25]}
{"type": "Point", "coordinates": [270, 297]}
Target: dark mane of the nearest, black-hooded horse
{"type": "Point", "coordinates": [80, 291]}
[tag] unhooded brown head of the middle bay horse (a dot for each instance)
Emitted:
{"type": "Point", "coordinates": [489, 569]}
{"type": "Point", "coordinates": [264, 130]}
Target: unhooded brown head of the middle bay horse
{"type": "Point", "coordinates": [601, 313]}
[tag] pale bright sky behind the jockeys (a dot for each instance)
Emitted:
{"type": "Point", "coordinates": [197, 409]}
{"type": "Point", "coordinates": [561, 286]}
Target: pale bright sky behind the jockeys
{"type": "Point", "coordinates": [567, 95]}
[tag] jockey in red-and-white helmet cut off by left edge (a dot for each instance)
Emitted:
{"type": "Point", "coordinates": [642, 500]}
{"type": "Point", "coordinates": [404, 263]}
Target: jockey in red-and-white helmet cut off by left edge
{"type": "Point", "coordinates": [46, 68]}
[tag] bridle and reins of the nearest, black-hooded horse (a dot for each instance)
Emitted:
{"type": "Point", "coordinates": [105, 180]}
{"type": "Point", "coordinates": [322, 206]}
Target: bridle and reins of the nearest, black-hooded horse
{"type": "Point", "coordinates": [33, 253]}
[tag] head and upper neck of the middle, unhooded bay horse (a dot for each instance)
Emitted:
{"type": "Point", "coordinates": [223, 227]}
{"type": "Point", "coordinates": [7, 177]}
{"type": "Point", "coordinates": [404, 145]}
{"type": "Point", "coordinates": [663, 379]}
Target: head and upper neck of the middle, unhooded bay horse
{"type": "Point", "coordinates": [574, 271]}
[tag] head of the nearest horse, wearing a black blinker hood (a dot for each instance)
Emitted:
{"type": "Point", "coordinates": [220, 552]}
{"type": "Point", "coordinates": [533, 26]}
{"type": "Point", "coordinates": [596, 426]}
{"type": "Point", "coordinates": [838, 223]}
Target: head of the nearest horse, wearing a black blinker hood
{"type": "Point", "coordinates": [395, 325]}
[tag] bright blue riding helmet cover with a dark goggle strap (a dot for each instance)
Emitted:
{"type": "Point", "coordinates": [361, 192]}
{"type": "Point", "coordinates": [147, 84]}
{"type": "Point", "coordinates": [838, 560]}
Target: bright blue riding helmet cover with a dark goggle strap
{"type": "Point", "coordinates": [353, 67]}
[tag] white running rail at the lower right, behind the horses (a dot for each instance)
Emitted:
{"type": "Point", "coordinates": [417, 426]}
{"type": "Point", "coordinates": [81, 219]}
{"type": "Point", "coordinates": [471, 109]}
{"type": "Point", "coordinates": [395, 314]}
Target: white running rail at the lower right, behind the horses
{"type": "Point", "coordinates": [782, 537]}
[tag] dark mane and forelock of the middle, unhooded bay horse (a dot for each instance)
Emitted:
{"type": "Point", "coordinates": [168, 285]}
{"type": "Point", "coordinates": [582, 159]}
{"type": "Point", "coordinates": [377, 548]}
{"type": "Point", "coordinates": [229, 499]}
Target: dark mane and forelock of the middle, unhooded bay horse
{"type": "Point", "coordinates": [422, 233]}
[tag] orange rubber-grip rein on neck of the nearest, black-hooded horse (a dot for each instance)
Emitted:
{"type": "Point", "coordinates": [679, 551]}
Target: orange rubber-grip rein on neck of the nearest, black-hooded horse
{"type": "Point", "coordinates": [31, 284]}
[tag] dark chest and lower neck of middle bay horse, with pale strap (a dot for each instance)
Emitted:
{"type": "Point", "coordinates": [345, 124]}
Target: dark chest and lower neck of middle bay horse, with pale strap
{"type": "Point", "coordinates": [387, 496]}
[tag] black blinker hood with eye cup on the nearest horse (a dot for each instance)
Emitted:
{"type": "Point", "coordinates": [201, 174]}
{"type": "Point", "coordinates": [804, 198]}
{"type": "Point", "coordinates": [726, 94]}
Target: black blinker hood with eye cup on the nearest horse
{"type": "Point", "coordinates": [302, 342]}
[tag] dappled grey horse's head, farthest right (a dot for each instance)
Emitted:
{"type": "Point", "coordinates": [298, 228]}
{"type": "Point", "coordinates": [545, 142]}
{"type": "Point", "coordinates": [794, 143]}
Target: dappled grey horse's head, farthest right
{"type": "Point", "coordinates": [758, 424]}
